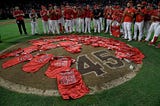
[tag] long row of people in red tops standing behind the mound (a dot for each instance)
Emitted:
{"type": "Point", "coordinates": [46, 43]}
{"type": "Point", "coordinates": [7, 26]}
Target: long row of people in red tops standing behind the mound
{"type": "Point", "coordinates": [112, 19]}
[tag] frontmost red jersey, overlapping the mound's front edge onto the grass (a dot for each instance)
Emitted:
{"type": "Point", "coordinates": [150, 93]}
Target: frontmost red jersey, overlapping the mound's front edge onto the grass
{"type": "Point", "coordinates": [70, 84]}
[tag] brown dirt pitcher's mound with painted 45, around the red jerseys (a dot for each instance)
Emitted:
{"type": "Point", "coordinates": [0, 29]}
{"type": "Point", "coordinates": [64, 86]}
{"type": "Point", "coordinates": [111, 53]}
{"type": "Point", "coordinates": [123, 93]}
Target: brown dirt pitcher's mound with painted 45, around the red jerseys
{"type": "Point", "coordinates": [99, 66]}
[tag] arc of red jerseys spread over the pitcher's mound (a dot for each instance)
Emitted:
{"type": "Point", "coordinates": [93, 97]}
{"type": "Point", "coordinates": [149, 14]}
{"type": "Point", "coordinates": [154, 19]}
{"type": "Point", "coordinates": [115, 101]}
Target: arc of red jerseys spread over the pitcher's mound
{"type": "Point", "coordinates": [68, 79]}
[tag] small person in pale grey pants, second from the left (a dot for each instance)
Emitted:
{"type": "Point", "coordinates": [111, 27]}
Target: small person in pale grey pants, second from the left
{"type": "Point", "coordinates": [34, 24]}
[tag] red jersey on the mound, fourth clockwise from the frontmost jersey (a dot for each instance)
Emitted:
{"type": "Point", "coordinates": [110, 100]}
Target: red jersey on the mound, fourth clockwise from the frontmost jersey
{"type": "Point", "coordinates": [17, 60]}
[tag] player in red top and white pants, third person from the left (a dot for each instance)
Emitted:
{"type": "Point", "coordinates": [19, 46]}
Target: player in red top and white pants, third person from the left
{"type": "Point", "coordinates": [44, 16]}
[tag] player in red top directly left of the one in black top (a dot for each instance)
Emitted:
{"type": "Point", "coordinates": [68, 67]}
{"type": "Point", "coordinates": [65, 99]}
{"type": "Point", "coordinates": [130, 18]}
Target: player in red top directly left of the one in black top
{"type": "Point", "coordinates": [88, 15]}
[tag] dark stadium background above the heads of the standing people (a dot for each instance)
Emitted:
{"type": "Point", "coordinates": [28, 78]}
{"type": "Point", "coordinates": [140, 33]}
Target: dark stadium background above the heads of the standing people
{"type": "Point", "coordinates": [7, 6]}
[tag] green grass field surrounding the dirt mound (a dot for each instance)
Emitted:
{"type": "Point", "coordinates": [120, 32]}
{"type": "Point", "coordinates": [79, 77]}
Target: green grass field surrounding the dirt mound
{"type": "Point", "coordinates": [142, 90]}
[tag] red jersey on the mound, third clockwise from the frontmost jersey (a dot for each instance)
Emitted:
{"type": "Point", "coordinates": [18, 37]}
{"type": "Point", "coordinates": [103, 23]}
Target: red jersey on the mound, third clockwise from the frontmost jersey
{"type": "Point", "coordinates": [37, 62]}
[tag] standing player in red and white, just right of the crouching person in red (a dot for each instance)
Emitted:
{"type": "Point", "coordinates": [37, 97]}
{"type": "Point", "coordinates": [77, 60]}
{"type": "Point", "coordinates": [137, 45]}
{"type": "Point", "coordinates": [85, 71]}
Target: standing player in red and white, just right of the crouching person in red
{"type": "Point", "coordinates": [127, 19]}
